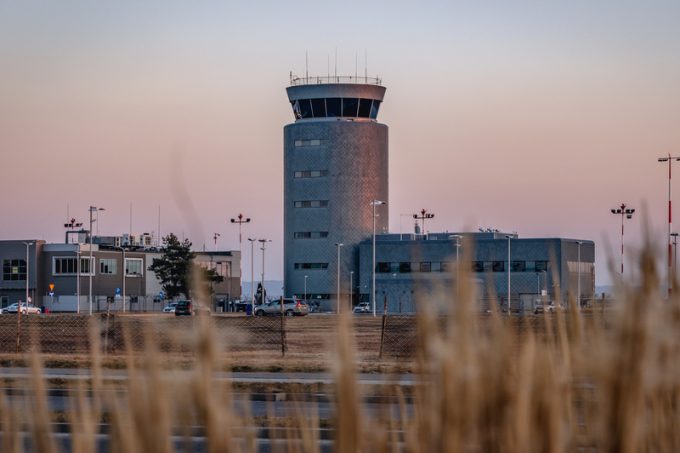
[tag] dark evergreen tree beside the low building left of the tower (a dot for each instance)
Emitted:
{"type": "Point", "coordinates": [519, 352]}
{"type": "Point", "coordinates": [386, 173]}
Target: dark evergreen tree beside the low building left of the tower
{"type": "Point", "coordinates": [173, 269]}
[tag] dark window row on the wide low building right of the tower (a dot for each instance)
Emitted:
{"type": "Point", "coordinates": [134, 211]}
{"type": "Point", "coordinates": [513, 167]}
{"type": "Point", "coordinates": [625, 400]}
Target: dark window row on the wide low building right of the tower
{"type": "Point", "coordinates": [405, 267]}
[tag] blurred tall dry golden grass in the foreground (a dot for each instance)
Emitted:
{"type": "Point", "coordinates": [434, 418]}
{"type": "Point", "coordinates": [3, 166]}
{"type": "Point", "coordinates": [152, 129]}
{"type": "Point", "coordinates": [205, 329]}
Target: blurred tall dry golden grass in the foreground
{"type": "Point", "coordinates": [582, 383]}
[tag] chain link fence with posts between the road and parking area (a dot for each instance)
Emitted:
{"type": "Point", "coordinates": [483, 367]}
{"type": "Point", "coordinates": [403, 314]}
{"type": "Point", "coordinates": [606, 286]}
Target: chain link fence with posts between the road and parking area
{"type": "Point", "coordinates": [385, 336]}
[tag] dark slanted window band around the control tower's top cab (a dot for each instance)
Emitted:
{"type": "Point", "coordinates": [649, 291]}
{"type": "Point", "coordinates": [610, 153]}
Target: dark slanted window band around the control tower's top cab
{"type": "Point", "coordinates": [336, 107]}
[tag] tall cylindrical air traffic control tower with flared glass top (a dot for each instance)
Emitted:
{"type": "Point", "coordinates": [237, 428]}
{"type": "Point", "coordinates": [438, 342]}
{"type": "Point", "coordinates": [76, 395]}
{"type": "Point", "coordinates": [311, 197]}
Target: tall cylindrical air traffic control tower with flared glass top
{"type": "Point", "coordinates": [335, 165]}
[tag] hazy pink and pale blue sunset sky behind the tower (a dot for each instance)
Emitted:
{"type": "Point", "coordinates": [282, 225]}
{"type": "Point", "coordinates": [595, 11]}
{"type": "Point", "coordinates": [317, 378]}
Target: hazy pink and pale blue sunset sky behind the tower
{"type": "Point", "coordinates": [534, 117]}
